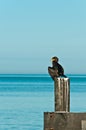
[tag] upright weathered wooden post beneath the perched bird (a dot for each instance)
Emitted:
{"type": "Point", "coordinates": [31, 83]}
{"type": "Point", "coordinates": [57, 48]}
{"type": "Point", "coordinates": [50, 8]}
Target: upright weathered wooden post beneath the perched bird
{"type": "Point", "coordinates": [62, 94]}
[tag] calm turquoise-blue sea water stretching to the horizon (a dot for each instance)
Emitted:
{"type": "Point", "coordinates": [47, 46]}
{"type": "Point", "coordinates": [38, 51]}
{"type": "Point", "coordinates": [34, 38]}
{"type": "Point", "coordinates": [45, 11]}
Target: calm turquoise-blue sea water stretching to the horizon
{"type": "Point", "coordinates": [24, 99]}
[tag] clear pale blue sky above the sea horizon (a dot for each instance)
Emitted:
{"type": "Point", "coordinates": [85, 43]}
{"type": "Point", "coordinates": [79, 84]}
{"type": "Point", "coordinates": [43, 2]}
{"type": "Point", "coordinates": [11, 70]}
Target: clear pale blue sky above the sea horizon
{"type": "Point", "coordinates": [32, 31]}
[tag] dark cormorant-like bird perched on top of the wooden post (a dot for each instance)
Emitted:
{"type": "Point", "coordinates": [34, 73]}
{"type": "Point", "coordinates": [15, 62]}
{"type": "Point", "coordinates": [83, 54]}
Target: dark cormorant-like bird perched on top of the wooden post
{"type": "Point", "coordinates": [56, 70]}
